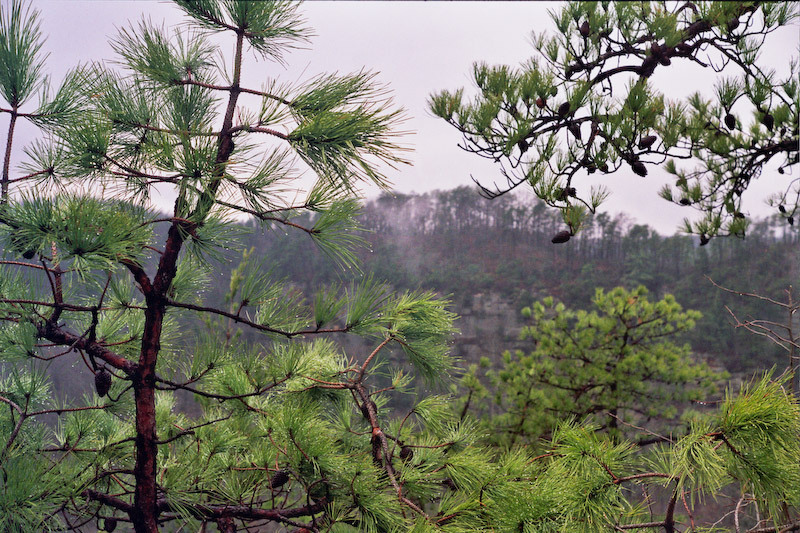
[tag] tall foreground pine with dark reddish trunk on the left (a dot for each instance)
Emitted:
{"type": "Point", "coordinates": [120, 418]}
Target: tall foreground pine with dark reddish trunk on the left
{"type": "Point", "coordinates": [290, 429]}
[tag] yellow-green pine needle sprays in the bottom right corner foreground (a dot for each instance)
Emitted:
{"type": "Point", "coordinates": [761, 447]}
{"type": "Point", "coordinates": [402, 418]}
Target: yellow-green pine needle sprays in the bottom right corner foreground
{"type": "Point", "coordinates": [584, 481]}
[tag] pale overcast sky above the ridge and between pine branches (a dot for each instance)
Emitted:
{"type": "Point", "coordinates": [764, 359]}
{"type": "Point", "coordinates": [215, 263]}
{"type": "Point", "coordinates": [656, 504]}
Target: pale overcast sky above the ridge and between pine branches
{"type": "Point", "coordinates": [418, 48]}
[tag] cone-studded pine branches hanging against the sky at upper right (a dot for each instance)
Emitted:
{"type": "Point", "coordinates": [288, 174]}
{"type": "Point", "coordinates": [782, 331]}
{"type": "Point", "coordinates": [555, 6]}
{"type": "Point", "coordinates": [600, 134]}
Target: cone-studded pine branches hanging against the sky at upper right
{"type": "Point", "coordinates": [585, 103]}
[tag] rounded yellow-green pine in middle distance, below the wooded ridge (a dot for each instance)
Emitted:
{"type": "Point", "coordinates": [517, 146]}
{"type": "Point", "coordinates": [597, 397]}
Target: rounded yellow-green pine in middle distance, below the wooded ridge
{"type": "Point", "coordinates": [614, 365]}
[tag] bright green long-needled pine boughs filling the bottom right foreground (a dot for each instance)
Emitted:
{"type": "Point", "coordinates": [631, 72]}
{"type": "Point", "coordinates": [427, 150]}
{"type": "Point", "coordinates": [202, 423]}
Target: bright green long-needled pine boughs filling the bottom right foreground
{"type": "Point", "coordinates": [585, 482]}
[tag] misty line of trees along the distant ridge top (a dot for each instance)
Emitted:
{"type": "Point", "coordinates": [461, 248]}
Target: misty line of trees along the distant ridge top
{"type": "Point", "coordinates": [459, 244]}
